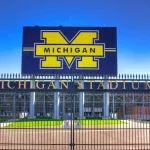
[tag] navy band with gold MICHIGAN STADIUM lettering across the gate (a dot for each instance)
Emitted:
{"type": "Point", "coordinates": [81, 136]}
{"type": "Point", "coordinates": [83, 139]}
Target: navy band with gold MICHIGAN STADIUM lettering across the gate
{"type": "Point", "coordinates": [90, 84]}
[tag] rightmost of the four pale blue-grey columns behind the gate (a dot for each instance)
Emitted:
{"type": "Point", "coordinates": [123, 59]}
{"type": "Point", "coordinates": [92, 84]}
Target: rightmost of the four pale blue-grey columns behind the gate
{"type": "Point", "coordinates": [106, 99]}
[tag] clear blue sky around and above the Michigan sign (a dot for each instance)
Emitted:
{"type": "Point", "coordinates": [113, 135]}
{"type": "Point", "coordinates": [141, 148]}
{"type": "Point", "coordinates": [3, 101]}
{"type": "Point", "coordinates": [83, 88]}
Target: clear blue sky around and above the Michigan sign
{"type": "Point", "coordinates": [131, 17]}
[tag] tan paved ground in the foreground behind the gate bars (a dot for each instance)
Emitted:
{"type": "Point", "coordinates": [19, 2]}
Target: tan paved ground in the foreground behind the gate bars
{"type": "Point", "coordinates": [130, 136]}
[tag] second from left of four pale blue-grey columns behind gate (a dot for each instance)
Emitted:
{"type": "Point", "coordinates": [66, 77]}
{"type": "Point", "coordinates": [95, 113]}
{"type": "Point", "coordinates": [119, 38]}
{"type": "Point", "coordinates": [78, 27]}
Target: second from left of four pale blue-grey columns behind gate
{"type": "Point", "coordinates": [56, 100]}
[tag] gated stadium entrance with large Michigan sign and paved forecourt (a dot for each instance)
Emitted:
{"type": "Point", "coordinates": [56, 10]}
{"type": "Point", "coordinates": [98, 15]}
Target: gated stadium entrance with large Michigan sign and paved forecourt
{"type": "Point", "coordinates": [69, 95]}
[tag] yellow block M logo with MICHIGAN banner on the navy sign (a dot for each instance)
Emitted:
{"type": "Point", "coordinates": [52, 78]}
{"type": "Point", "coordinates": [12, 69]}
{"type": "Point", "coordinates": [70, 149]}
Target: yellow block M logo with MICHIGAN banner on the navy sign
{"type": "Point", "coordinates": [81, 48]}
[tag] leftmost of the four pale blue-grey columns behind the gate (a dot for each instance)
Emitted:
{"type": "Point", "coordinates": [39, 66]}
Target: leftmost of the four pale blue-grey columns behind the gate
{"type": "Point", "coordinates": [32, 101]}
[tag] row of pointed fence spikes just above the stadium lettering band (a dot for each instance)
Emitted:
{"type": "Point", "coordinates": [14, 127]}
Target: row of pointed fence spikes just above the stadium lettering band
{"type": "Point", "coordinates": [83, 77]}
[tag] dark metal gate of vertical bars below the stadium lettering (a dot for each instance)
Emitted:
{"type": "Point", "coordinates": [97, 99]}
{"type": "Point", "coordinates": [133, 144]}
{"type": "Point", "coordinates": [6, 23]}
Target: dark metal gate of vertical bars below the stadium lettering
{"type": "Point", "coordinates": [126, 127]}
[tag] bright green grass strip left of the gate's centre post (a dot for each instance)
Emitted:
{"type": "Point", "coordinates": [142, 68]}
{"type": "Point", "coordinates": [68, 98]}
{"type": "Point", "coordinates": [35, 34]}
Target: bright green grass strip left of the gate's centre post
{"type": "Point", "coordinates": [34, 123]}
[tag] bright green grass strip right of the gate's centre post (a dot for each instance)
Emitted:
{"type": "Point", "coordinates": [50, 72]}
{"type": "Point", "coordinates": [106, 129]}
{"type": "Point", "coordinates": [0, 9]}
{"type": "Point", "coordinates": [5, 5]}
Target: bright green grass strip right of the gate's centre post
{"type": "Point", "coordinates": [101, 122]}
